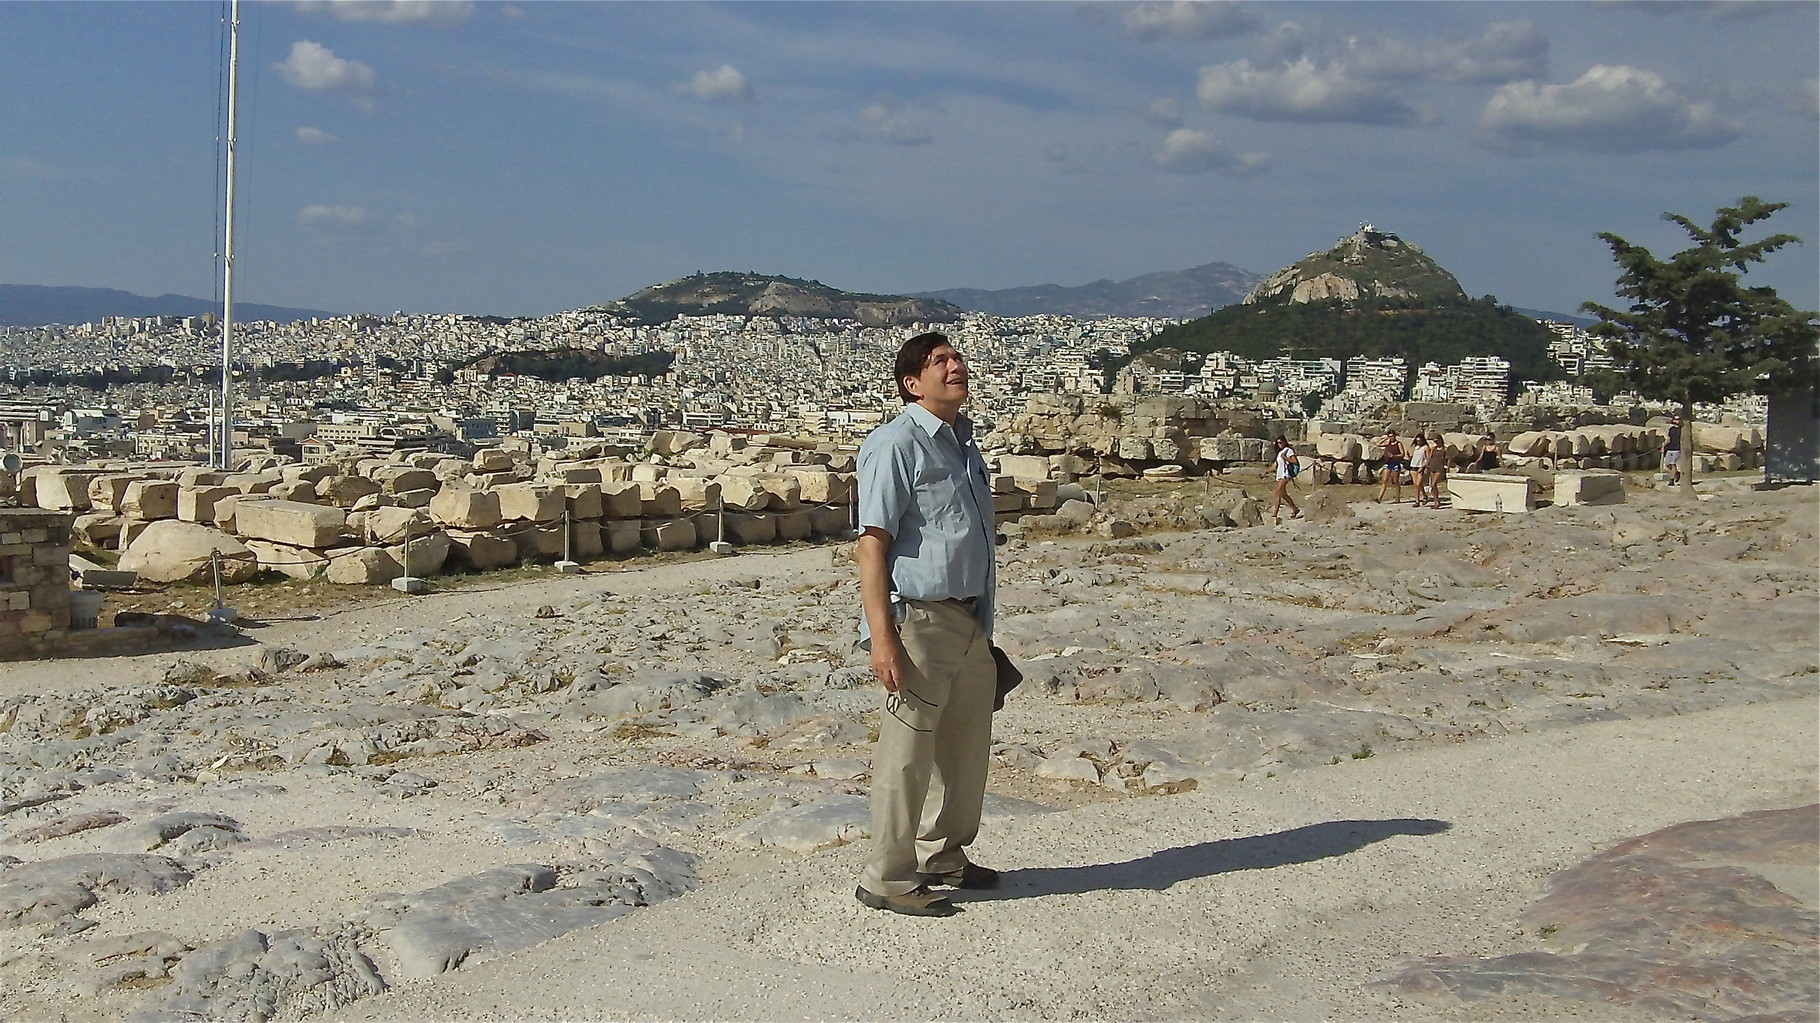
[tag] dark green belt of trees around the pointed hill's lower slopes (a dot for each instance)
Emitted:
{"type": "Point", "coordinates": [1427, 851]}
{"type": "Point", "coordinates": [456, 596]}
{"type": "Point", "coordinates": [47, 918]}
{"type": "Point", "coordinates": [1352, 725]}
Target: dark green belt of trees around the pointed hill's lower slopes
{"type": "Point", "coordinates": [1382, 329]}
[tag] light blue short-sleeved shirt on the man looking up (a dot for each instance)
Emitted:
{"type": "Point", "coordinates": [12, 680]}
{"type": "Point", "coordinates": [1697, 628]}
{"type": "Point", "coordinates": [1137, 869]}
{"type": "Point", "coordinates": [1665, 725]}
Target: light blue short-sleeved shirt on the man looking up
{"type": "Point", "coordinates": [925, 483]}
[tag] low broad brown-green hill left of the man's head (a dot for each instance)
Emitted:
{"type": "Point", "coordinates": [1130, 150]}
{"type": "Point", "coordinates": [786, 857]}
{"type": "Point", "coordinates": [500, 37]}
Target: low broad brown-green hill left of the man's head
{"type": "Point", "coordinates": [762, 296]}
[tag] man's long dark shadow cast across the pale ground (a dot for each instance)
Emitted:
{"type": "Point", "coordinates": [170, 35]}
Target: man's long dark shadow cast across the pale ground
{"type": "Point", "coordinates": [1204, 860]}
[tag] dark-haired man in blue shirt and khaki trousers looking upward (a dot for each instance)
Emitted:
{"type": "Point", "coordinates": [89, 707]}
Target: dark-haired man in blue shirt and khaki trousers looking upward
{"type": "Point", "coordinates": [925, 583]}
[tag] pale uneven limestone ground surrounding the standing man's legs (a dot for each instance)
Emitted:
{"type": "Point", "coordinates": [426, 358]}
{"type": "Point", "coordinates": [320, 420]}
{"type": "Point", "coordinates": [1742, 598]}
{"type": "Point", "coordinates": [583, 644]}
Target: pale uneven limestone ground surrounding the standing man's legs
{"type": "Point", "coordinates": [1391, 764]}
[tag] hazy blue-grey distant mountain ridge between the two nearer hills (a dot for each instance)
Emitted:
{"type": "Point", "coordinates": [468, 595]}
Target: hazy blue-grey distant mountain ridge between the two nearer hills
{"type": "Point", "coordinates": [1177, 294]}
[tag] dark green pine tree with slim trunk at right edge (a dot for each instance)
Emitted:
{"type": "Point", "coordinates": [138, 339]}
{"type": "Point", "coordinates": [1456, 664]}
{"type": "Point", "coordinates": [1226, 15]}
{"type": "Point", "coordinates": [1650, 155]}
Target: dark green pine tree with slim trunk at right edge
{"type": "Point", "coordinates": [1694, 332]}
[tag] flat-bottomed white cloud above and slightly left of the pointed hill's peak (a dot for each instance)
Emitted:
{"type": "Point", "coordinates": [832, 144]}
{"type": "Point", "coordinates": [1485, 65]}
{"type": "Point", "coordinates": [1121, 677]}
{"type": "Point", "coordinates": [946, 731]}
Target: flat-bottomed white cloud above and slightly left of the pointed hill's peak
{"type": "Point", "coordinates": [1302, 92]}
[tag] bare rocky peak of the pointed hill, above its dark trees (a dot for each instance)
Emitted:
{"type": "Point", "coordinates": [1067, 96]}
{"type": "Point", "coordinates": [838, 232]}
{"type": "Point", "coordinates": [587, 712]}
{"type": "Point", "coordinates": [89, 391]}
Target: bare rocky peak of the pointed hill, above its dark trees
{"type": "Point", "coordinates": [1370, 265]}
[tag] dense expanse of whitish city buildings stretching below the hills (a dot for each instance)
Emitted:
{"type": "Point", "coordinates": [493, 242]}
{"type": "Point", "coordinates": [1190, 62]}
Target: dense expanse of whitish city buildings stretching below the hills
{"type": "Point", "coordinates": [145, 389]}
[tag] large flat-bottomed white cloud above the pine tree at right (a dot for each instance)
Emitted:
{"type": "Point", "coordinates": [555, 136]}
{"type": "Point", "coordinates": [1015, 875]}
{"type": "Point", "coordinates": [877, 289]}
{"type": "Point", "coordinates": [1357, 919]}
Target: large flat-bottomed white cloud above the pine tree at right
{"type": "Point", "coordinates": [1610, 108]}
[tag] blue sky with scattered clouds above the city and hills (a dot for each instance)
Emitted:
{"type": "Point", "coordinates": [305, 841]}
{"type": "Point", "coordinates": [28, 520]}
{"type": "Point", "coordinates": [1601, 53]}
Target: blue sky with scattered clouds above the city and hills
{"type": "Point", "coordinates": [538, 157]}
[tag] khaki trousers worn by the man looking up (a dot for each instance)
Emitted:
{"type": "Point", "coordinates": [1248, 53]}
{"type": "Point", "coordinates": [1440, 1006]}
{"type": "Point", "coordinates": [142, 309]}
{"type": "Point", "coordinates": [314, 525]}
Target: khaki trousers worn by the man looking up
{"type": "Point", "coordinates": [929, 773]}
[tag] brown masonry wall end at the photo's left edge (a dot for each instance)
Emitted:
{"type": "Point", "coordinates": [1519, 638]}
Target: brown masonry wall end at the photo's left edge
{"type": "Point", "coordinates": [34, 582]}
